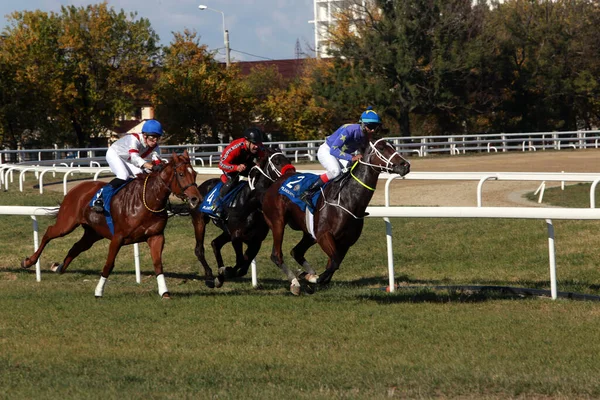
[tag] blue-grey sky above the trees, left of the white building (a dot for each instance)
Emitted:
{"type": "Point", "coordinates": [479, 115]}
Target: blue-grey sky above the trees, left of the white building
{"type": "Point", "coordinates": [258, 29]}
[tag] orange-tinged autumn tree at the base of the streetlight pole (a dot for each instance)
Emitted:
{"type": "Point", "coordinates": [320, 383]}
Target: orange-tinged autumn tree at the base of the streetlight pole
{"type": "Point", "coordinates": [196, 97]}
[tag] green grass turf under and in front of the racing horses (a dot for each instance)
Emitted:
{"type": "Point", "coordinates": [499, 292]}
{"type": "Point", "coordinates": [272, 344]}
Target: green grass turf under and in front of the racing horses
{"type": "Point", "coordinates": [351, 340]}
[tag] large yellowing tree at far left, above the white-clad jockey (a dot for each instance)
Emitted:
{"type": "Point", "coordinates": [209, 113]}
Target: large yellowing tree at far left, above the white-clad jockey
{"type": "Point", "coordinates": [88, 64]}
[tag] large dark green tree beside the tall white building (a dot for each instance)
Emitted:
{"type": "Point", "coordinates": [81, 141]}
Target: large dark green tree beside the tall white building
{"type": "Point", "coordinates": [407, 57]}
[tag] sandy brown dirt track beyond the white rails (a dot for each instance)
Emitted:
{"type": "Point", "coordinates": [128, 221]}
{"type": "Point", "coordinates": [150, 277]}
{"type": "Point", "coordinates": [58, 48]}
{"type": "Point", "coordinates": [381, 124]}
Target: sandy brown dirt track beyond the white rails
{"type": "Point", "coordinates": [464, 193]}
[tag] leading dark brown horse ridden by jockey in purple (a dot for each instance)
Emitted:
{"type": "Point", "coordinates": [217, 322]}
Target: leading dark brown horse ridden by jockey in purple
{"type": "Point", "coordinates": [339, 213]}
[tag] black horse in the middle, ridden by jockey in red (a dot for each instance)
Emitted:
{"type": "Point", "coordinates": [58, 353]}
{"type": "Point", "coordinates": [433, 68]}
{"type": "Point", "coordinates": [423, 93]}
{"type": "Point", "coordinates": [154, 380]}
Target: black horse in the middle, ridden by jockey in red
{"type": "Point", "coordinates": [245, 223]}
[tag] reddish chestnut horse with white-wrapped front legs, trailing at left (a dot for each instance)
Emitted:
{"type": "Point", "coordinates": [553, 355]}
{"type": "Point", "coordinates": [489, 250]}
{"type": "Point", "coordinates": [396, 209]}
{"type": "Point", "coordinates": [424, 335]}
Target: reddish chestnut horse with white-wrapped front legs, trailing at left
{"type": "Point", "coordinates": [138, 211]}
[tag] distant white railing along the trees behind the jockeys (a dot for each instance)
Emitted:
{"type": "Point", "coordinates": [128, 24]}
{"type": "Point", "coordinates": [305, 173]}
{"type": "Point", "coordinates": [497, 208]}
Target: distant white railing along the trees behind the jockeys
{"type": "Point", "coordinates": [421, 146]}
